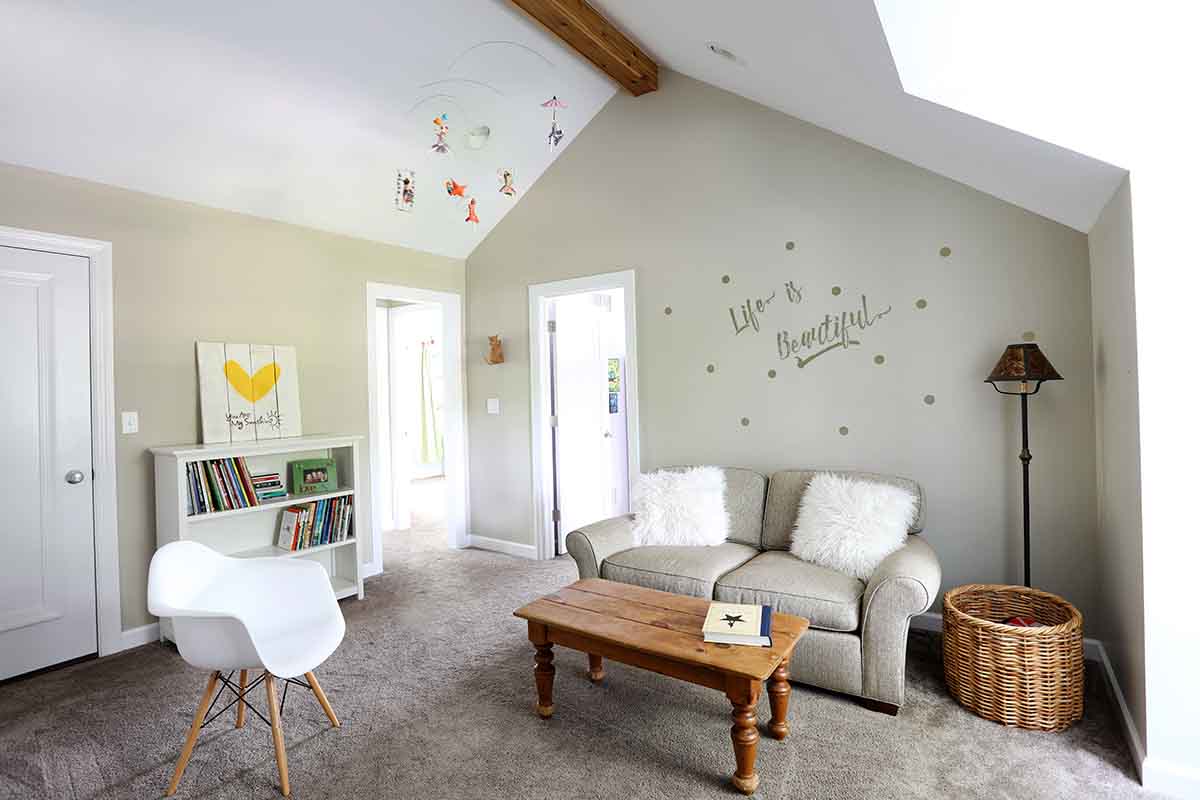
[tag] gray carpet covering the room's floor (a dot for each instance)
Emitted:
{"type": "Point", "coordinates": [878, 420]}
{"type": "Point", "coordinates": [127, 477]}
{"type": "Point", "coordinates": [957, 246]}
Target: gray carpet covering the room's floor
{"type": "Point", "coordinates": [435, 690]}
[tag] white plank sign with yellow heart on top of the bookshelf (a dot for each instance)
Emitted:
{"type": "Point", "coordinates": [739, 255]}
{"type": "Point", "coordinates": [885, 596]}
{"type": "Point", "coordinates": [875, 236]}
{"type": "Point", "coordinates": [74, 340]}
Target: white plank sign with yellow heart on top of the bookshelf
{"type": "Point", "coordinates": [248, 392]}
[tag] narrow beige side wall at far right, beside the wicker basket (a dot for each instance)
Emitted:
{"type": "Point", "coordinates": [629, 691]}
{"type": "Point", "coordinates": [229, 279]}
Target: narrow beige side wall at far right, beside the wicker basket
{"type": "Point", "coordinates": [1120, 618]}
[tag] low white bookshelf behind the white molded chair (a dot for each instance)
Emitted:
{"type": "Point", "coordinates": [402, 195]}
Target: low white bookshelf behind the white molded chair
{"type": "Point", "coordinates": [251, 533]}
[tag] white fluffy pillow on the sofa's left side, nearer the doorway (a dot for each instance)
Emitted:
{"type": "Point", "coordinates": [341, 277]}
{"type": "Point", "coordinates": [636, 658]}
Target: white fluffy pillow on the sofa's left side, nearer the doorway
{"type": "Point", "coordinates": [686, 508]}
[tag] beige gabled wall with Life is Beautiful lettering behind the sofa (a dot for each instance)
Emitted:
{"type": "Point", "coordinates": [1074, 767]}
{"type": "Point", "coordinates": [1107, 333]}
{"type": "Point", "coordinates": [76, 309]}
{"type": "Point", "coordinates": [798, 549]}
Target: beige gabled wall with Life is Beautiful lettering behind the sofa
{"type": "Point", "coordinates": [691, 184]}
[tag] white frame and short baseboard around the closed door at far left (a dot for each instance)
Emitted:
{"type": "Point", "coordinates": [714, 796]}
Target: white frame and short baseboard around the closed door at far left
{"type": "Point", "coordinates": [111, 637]}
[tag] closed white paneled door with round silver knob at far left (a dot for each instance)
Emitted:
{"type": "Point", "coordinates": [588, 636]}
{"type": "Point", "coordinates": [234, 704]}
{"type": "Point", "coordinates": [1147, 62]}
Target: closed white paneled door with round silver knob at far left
{"type": "Point", "coordinates": [47, 568]}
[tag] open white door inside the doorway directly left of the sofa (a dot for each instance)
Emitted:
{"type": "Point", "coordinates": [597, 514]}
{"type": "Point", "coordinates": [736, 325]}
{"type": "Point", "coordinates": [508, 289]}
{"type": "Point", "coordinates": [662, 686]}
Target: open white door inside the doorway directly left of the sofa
{"type": "Point", "coordinates": [584, 440]}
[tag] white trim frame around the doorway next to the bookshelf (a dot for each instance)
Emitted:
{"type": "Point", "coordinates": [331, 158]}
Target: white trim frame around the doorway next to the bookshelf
{"type": "Point", "coordinates": [455, 423]}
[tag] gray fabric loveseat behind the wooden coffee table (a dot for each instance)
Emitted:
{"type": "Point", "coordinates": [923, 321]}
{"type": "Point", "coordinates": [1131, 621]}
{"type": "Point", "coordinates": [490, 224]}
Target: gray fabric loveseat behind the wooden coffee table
{"type": "Point", "coordinates": [859, 631]}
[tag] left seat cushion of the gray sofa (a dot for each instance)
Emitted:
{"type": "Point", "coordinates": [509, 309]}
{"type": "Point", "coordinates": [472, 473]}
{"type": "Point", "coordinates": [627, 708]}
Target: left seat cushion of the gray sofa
{"type": "Point", "coordinates": [682, 570]}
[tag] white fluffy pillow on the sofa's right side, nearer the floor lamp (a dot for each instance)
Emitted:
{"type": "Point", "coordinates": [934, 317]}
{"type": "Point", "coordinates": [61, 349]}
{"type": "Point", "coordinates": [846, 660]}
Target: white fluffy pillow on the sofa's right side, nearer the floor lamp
{"type": "Point", "coordinates": [851, 526]}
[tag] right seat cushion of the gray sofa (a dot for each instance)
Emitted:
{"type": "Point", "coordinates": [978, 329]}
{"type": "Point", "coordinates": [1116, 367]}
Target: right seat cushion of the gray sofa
{"type": "Point", "coordinates": [830, 600]}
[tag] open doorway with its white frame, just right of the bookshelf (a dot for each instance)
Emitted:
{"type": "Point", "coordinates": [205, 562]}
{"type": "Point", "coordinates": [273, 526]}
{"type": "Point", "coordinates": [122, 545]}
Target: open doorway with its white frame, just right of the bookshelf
{"type": "Point", "coordinates": [418, 461]}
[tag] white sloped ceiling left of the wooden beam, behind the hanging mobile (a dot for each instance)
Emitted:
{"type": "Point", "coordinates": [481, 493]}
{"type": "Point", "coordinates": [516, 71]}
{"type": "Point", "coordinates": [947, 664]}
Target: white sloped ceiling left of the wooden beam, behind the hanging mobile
{"type": "Point", "coordinates": [296, 111]}
